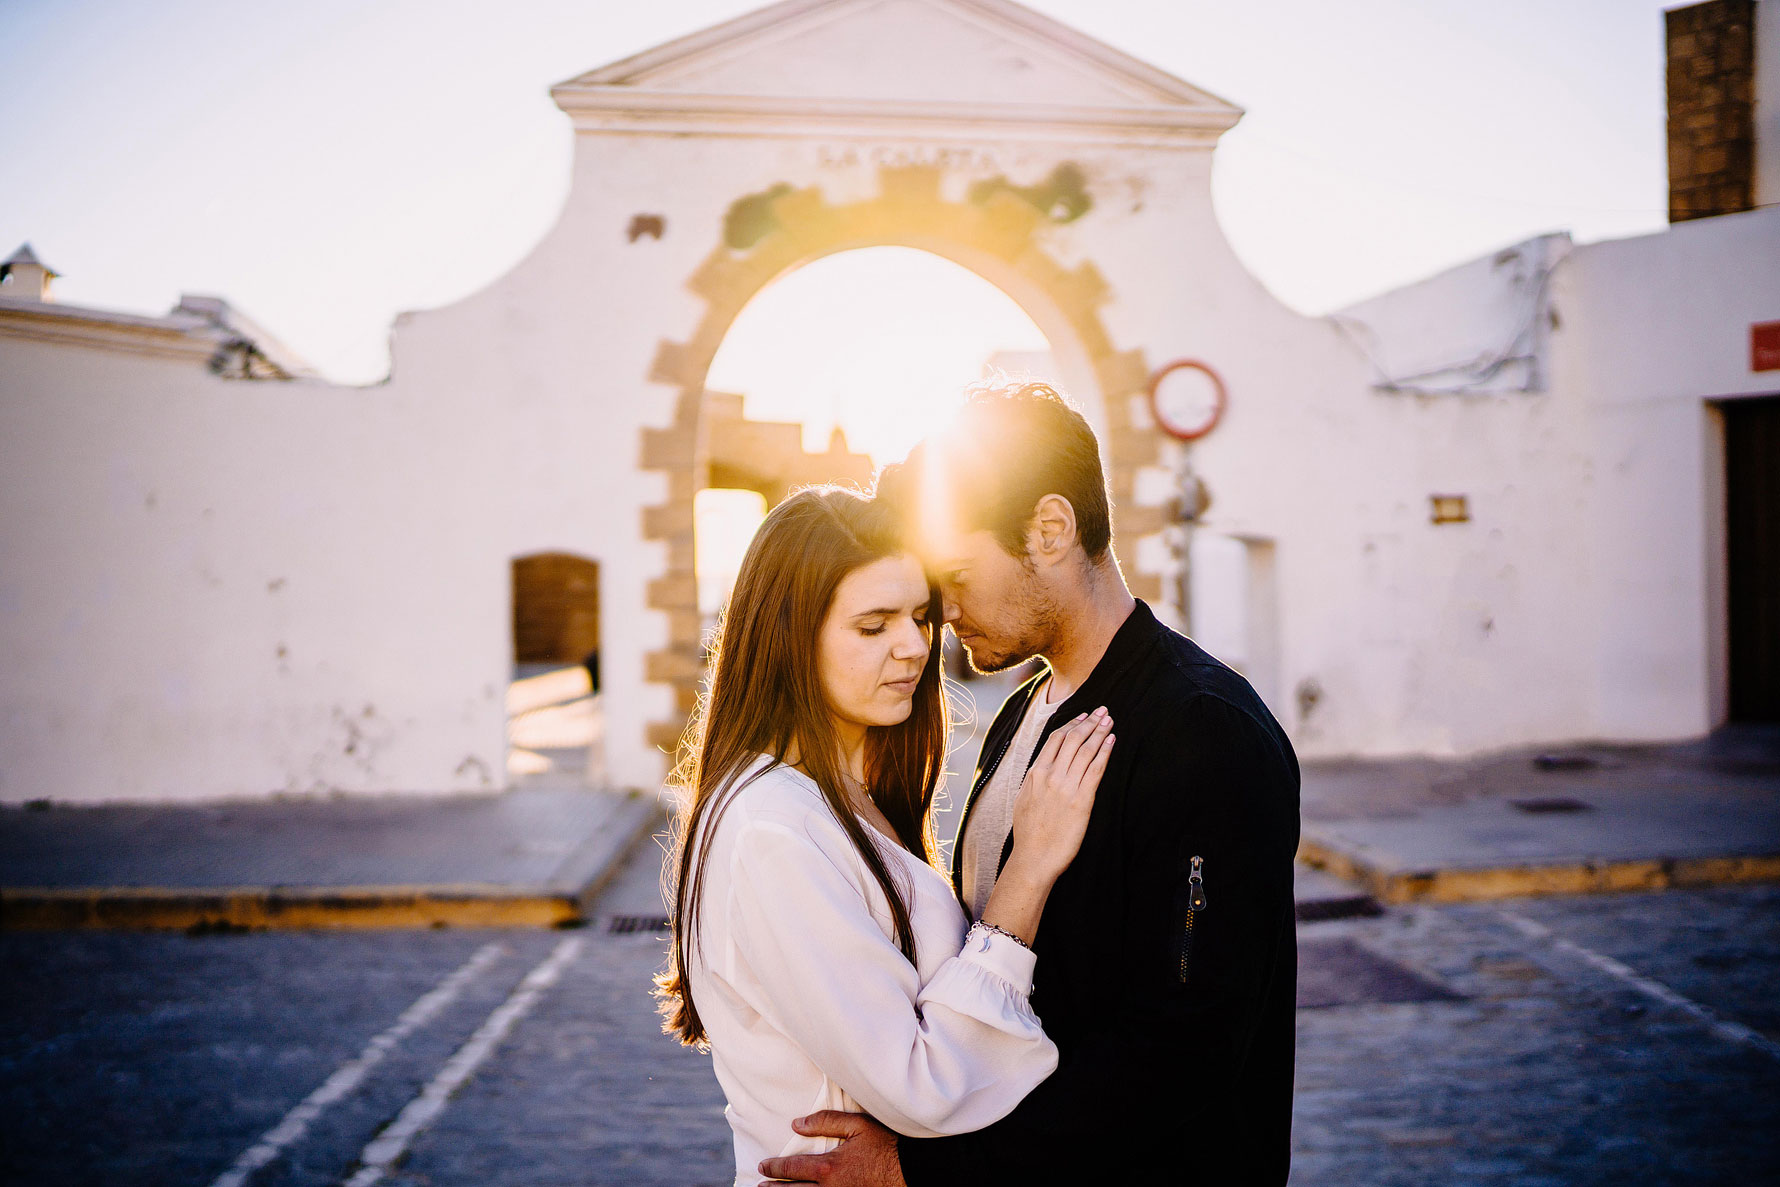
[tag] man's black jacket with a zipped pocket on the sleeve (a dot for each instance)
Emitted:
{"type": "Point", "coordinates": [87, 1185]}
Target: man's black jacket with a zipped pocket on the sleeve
{"type": "Point", "coordinates": [1174, 1026]}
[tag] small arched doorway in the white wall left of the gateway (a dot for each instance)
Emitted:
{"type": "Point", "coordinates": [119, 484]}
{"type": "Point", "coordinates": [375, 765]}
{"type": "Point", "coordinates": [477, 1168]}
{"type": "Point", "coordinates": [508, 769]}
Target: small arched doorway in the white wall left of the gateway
{"type": "Point", "coordinates": [554, 722]}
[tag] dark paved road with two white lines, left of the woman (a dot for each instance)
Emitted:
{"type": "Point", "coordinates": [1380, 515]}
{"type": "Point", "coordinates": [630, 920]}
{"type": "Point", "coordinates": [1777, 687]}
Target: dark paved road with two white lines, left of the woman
{"type": "Point", "coordinates": [152, 1058]}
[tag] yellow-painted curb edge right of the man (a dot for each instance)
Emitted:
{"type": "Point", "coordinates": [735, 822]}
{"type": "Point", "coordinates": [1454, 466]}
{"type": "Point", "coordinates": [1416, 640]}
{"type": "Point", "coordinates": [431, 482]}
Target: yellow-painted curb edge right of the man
{"type": "Point", "coordinates": [1519, 882]}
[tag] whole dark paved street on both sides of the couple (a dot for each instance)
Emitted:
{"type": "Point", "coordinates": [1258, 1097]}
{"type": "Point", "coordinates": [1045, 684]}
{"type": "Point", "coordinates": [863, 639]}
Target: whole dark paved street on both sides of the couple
{"type": "Point", "coordinates": [163, 1058]}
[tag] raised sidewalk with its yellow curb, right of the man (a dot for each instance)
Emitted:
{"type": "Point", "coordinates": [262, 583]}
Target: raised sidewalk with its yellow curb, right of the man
{"type": "Point", "coordinates": [1551, 821]}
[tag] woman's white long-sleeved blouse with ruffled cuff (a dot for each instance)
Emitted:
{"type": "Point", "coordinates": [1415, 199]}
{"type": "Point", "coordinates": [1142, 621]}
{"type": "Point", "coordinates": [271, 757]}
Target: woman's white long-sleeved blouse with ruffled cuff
{"type": "Point", "coordinates": [811, 1005]}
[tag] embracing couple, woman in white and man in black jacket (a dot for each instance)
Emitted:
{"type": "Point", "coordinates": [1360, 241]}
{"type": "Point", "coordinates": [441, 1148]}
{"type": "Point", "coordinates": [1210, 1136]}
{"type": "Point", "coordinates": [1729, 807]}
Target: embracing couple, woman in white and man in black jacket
{"type": "Point", "coordinates": [1101, 989]}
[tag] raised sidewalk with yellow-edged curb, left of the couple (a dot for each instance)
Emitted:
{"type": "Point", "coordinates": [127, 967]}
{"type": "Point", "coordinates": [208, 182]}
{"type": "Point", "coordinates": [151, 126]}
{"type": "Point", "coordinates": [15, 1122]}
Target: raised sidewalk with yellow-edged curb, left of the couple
{"type": "Point", "coordinates": [519, 859]}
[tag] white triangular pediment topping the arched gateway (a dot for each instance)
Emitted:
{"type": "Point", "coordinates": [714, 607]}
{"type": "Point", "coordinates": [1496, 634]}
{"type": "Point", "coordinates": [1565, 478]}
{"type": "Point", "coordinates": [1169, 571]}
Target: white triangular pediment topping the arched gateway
{"type": "Point", "coordinates": [932, 52]}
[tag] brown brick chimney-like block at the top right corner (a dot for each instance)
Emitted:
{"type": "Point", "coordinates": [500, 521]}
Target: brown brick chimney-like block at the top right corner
{"type": "Point", "coordinates": [1711, 108]}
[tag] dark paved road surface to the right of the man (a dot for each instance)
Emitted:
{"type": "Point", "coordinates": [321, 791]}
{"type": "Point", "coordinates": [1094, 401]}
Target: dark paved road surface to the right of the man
{"type": "Point", "coordinates": [1551, 1070]}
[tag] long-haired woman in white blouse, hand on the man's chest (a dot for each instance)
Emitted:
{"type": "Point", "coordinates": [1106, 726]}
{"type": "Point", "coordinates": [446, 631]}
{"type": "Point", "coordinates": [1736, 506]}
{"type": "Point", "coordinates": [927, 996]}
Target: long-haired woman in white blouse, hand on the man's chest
{"type": "Point", "coordinates": [818, 951]}
